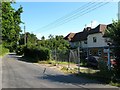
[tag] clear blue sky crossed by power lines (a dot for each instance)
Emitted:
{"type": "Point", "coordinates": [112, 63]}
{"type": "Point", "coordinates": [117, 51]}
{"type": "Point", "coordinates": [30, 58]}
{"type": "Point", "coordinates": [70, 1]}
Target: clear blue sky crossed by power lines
{"type": "Point", "coordinates": [40, 17]}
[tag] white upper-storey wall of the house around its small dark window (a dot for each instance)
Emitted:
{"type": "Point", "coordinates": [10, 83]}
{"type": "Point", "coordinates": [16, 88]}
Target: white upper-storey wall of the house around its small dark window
{"type": "Point", "coordinates": [100, 40]}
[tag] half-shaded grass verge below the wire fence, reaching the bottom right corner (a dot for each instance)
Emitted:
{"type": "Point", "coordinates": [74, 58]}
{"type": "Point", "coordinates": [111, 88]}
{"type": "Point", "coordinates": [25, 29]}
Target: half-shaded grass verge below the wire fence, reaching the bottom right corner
{"type": "Point", "coordinates": [93, 75]}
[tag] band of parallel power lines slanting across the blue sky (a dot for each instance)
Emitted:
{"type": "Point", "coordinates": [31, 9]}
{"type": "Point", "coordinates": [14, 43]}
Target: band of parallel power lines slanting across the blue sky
{"type": "Point", "coordinates": [75, 14]}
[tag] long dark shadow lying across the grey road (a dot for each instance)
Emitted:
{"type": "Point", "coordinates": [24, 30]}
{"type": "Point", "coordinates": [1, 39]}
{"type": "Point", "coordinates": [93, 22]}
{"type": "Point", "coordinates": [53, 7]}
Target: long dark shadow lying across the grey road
{"type": "Point", "coordinates": [70, 78]}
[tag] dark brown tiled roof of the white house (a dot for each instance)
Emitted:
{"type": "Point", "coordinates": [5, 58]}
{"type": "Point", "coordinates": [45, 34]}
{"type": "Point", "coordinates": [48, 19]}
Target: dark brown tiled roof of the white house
{"type": "Point", "coordinates": [81, 36]}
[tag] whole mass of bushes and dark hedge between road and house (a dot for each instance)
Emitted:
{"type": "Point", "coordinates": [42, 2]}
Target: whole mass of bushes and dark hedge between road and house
{"type": "Point", "coordinates": [54, 48]}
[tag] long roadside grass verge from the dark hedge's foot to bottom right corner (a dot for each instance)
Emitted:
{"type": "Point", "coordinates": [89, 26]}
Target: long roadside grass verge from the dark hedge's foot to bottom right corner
{"type": "Point", "coordinates": [103, 75]}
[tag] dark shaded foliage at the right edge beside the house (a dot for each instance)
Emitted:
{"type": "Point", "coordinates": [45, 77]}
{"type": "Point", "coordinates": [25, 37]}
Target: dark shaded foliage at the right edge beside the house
{"type": "Point", "coordinates": [114, 33]}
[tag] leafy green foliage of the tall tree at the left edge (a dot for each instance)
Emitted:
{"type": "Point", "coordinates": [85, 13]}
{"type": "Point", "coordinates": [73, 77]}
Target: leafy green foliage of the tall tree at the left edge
{"type": "Point", "coordinates": [10, 25]}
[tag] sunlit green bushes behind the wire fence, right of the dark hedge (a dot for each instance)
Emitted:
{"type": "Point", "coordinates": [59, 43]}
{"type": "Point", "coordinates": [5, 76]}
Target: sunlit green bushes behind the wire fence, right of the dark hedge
{"type": "Point", "coordinates": [57, 45]}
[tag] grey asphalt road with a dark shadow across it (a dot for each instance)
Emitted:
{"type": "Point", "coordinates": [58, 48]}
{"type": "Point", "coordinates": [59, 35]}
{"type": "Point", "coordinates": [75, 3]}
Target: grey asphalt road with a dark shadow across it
{"type": "Point", "coordinates": [20, 74]}
